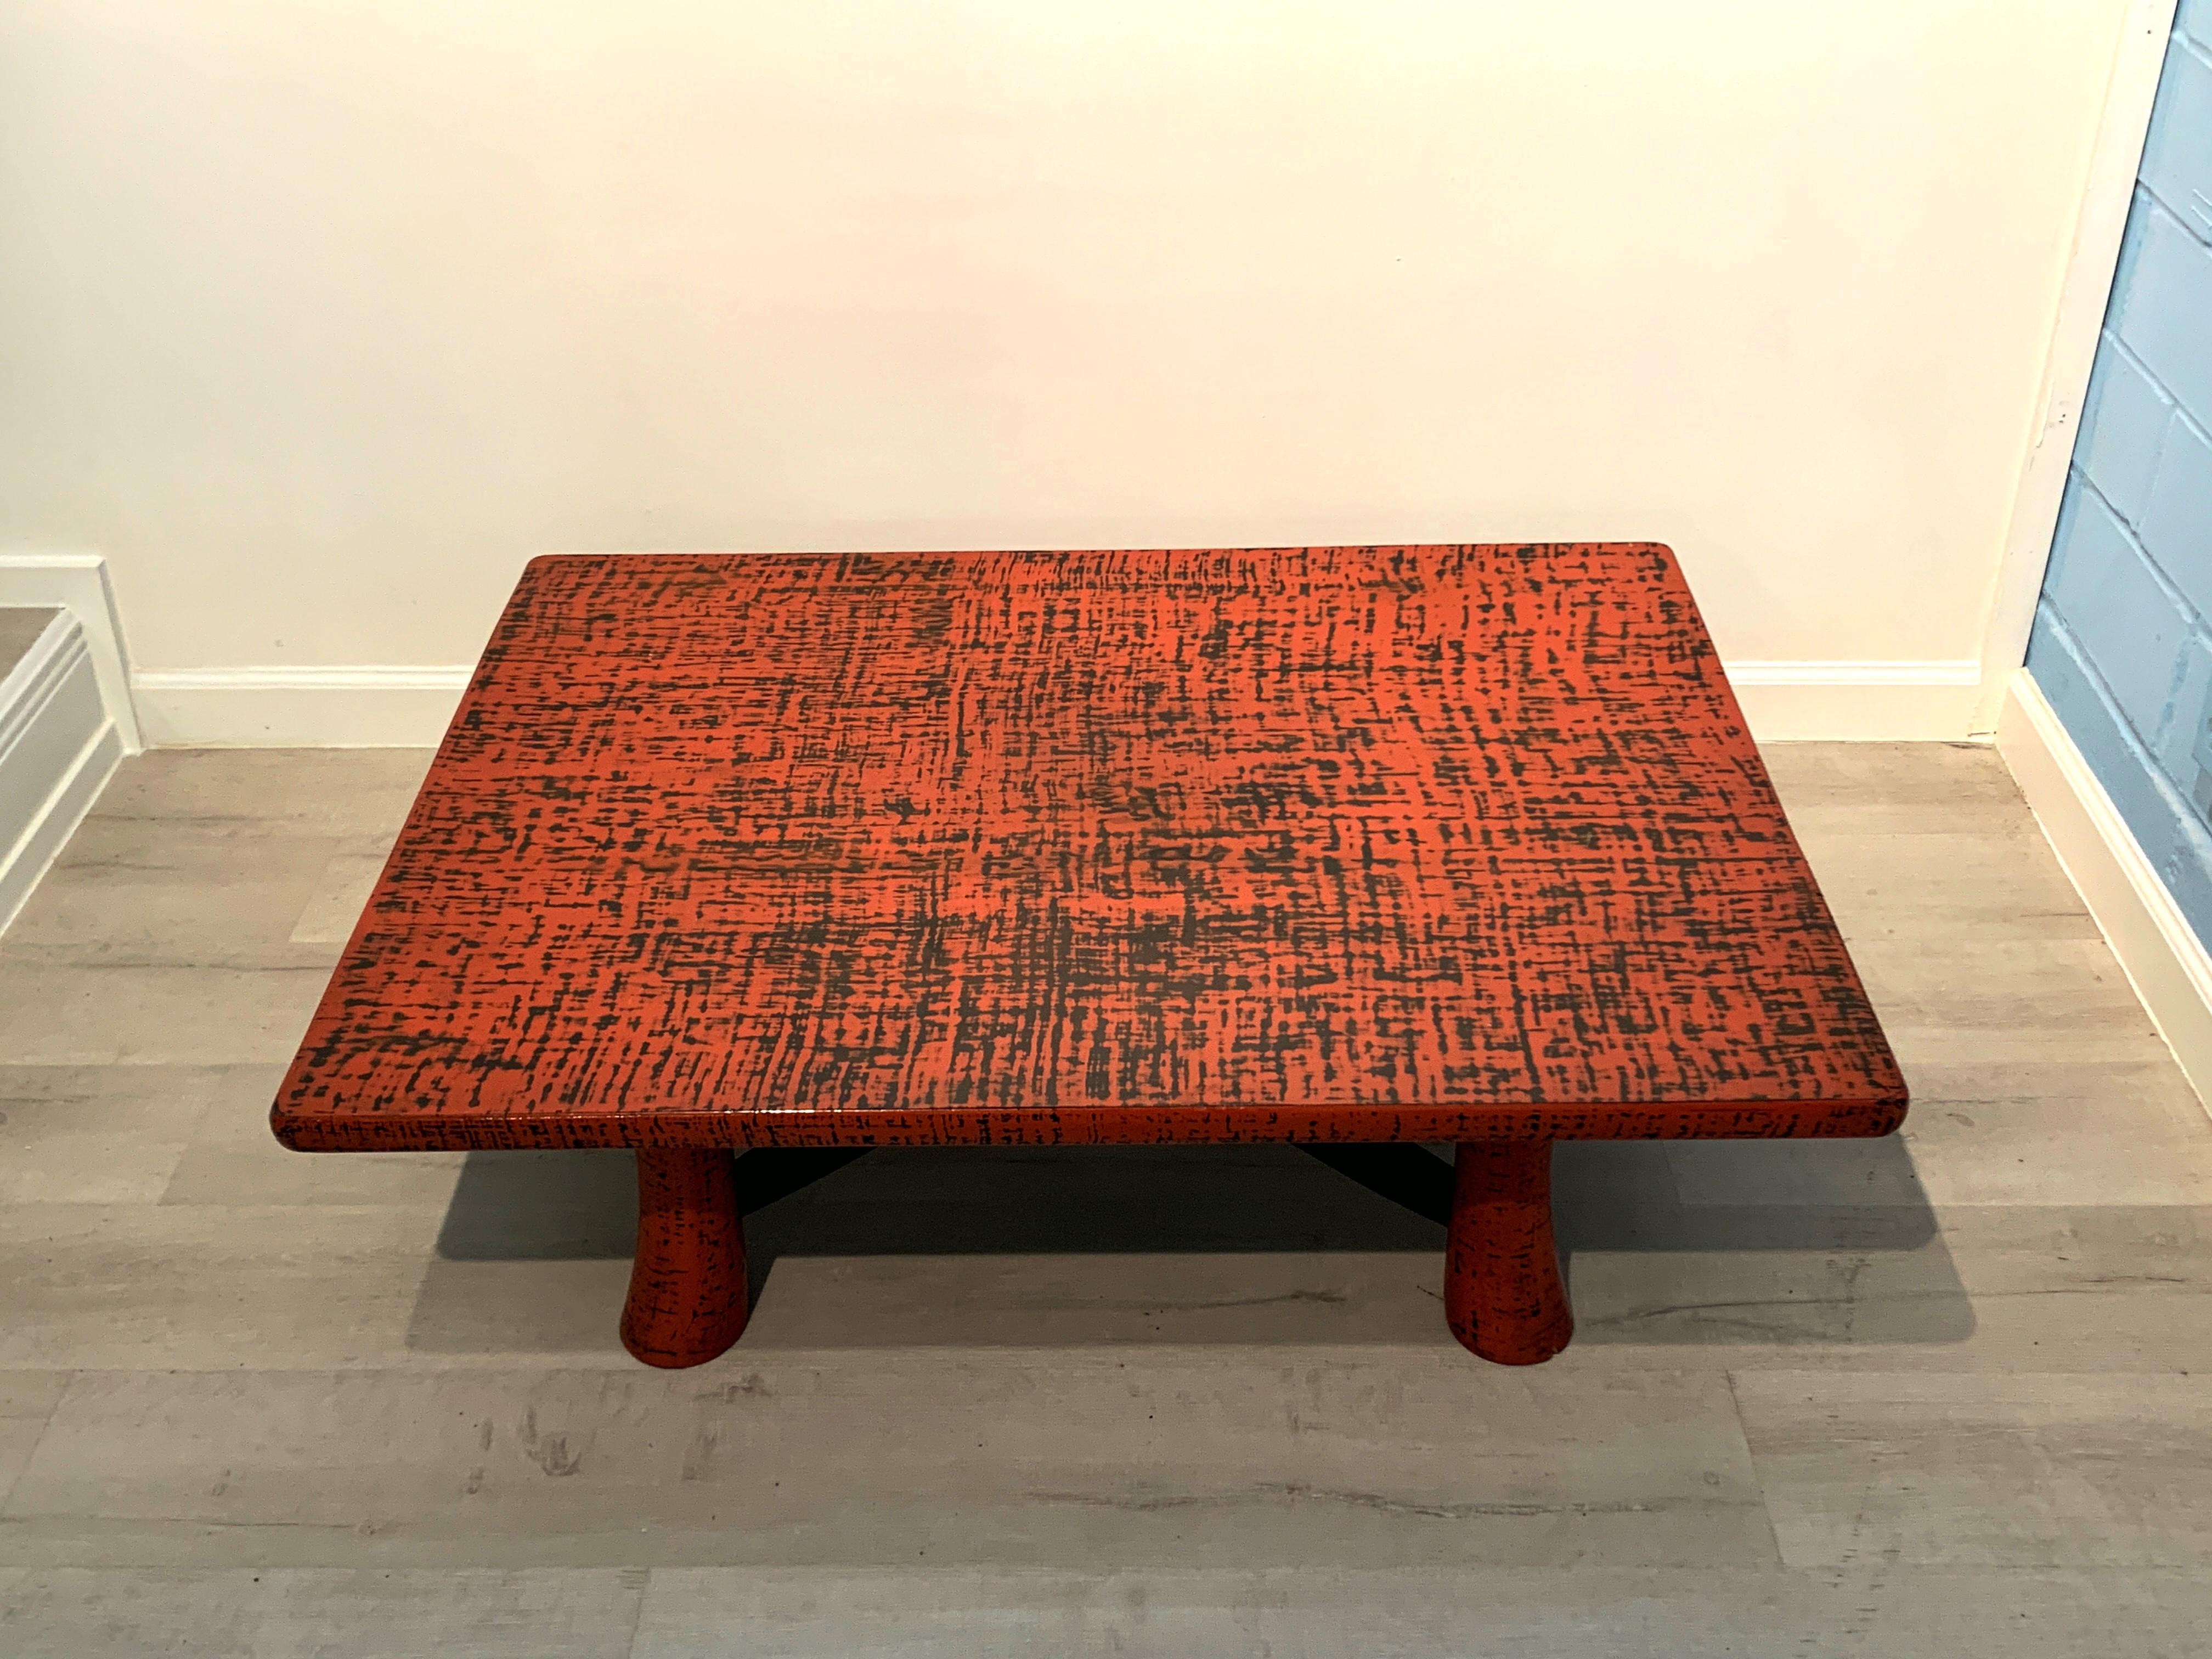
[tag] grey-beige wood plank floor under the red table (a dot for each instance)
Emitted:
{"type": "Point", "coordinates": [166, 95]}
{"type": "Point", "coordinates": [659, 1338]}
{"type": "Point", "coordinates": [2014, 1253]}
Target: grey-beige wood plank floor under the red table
{"type": "Point", "coordinates": [1941, 1395]}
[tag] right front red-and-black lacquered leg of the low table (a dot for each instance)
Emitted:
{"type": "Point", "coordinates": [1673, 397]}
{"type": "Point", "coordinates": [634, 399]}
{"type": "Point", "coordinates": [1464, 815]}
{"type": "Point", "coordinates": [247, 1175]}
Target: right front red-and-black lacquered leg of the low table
{"type": "Point", "coordinates": [1503, 1293]}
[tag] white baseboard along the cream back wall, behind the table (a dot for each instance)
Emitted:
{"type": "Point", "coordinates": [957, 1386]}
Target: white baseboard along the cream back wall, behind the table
{"type": "Point", "coordinates": [395, 707]}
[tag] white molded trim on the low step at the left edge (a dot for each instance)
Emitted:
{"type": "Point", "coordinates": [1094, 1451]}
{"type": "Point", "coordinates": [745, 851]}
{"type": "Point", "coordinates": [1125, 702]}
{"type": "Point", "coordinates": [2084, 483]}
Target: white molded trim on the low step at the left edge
{"type": "Point", "coordinates": [59, 747]}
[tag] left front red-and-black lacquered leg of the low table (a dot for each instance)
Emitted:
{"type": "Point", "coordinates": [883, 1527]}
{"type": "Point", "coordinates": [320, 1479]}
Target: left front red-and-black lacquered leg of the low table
{"type": "Point", "coordinates": [689, 1282]}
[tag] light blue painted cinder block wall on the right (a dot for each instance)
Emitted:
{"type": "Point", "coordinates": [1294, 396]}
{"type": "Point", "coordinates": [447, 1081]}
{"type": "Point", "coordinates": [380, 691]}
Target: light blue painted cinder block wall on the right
{"type": "Point", "coordinates": [2122, 638]}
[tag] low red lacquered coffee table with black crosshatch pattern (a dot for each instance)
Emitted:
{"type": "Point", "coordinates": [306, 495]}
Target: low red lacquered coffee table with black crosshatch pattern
{"type": "Point", "coordinates": [1384, 844]}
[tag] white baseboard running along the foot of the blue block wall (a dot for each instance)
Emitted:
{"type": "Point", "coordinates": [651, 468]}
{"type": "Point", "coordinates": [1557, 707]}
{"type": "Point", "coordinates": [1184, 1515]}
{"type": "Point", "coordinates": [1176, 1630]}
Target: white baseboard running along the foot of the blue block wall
{"type": "Point", "coordinates": [2158, 950]}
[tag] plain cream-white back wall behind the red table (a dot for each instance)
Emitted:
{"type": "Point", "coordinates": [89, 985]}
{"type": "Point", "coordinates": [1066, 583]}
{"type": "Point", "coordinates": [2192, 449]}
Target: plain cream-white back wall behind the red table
{"type": "Point", "coordinates": [320, 320]}
